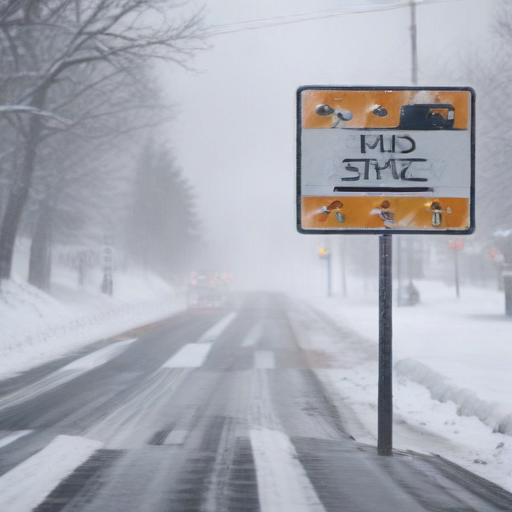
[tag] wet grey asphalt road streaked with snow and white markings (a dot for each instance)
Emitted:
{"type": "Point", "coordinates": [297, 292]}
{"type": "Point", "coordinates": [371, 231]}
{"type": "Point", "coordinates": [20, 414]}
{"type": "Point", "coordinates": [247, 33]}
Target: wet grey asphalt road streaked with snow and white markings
{"type": "Point", "coordinates": [210, 410]}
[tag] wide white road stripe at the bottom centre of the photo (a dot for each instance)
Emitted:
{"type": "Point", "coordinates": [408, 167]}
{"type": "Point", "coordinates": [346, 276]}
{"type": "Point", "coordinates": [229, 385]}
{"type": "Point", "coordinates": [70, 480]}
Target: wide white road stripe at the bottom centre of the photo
{"type": "Point", "coordinates": [283, 485]}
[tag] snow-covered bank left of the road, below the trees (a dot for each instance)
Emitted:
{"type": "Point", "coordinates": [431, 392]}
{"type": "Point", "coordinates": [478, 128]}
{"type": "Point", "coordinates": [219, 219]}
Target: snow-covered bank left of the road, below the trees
{"type": "Point", "coordinates": [37, 327]}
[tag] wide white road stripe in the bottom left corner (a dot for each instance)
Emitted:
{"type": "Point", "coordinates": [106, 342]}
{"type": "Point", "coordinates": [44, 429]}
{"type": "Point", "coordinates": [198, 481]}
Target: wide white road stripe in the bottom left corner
{"type": "Point", "coordinates": [24, 487]}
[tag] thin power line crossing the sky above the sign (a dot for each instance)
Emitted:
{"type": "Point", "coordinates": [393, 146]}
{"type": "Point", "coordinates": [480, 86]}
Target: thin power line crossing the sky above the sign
{"type": "Point", "coordinates": [301, 18]}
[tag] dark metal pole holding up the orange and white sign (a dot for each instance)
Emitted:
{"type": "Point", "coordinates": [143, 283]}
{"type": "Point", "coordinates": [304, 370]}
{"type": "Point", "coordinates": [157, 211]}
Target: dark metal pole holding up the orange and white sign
{"type": "Point", "coordinates": [385, 398]}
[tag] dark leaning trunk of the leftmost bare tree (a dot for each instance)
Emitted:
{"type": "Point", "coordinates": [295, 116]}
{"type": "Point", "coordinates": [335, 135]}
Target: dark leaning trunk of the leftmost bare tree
{"type": "Point", "coordinates": [19, 192]}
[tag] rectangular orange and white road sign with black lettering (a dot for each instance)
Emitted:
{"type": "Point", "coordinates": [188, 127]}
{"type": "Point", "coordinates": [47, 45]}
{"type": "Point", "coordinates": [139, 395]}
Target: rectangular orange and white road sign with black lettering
{"type": "Point", "coordinates": [385, 160]}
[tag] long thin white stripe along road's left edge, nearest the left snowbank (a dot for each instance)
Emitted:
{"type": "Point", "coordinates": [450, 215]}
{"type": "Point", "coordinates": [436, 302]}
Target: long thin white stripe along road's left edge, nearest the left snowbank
{"type": "Point", "coordinates": [66, 373]}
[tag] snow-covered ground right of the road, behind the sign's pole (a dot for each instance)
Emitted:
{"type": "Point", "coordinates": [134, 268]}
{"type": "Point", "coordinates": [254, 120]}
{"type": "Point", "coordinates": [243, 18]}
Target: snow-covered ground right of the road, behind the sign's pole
{"type": "Point", "coordinates": [452, 357]}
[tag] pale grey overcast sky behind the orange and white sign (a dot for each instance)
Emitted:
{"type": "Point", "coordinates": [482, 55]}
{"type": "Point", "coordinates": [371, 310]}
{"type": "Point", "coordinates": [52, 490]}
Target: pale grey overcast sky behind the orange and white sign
{"type": "Point", "coordinates": [234, 134]}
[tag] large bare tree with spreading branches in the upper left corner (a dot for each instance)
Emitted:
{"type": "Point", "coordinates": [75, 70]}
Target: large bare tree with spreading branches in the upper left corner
{"type": "Point", "coordinates": [50, 46]}
